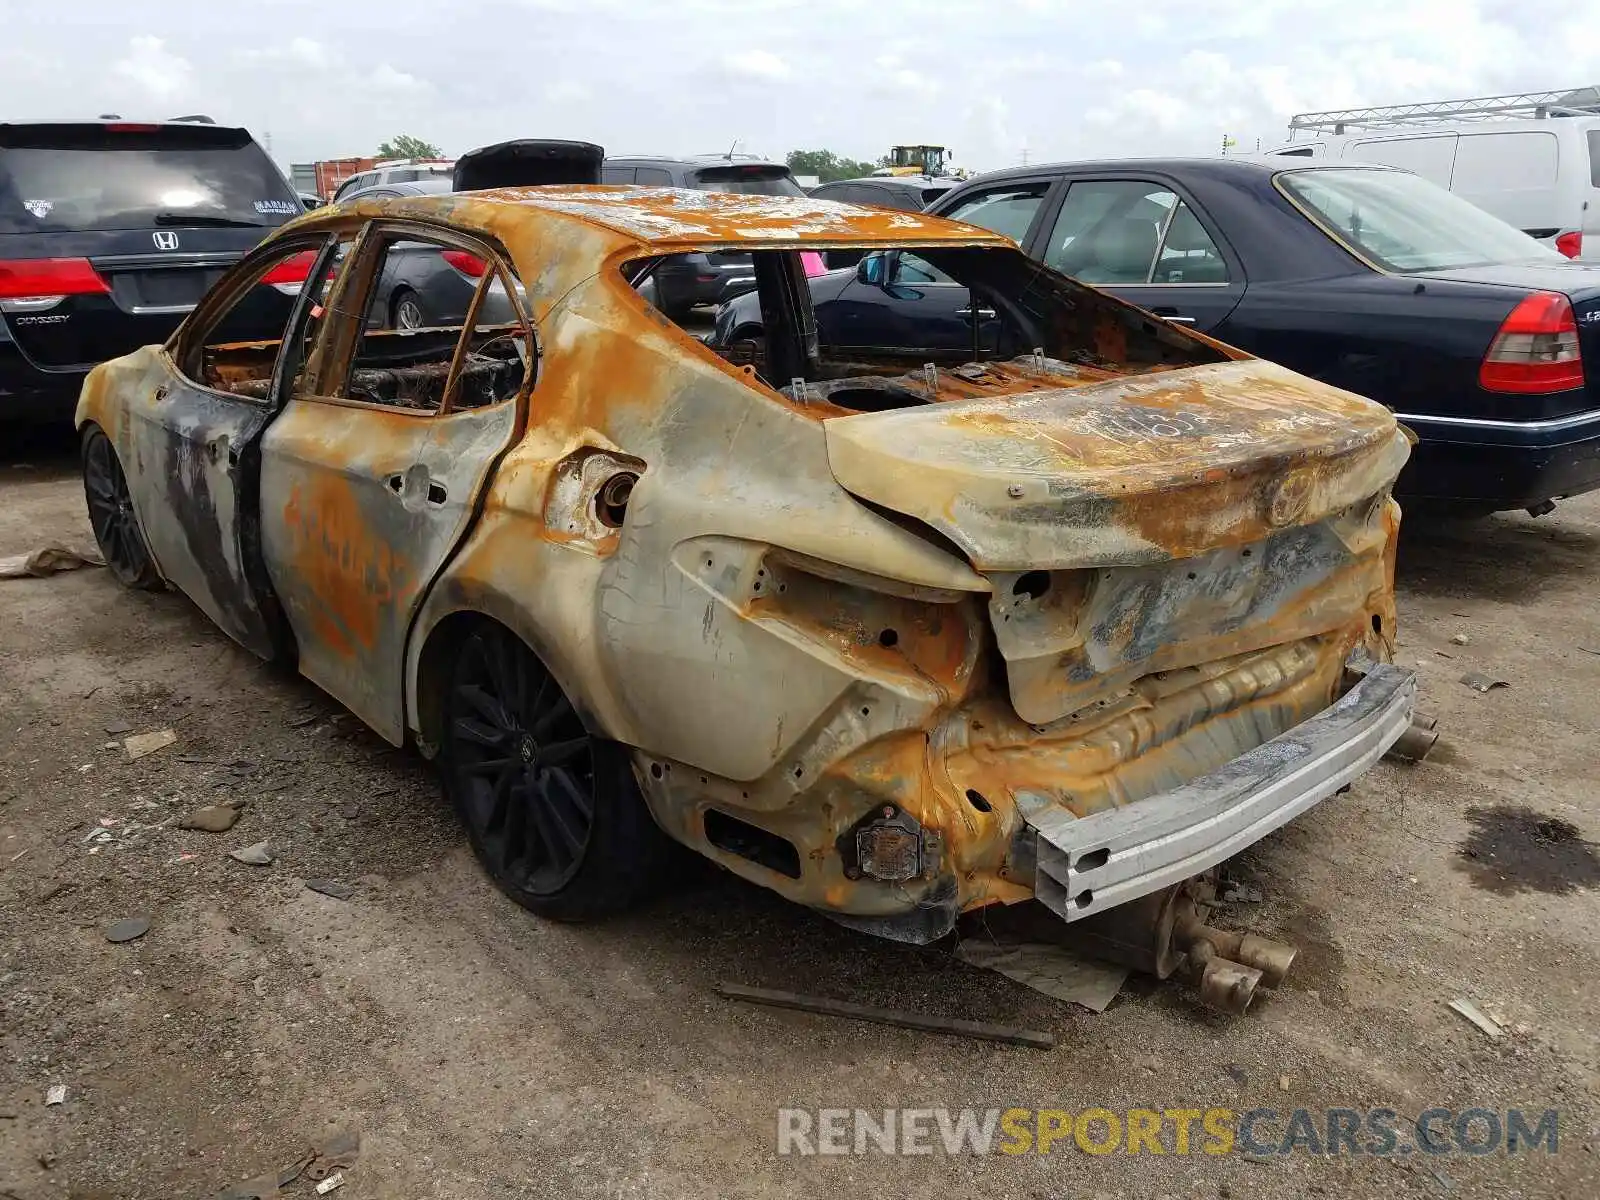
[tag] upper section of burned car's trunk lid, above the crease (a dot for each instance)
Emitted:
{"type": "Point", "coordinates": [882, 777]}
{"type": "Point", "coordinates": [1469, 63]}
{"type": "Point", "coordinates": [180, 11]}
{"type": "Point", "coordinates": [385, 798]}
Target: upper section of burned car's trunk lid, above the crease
{"type": "Point", "coordinates": [1127, 471]}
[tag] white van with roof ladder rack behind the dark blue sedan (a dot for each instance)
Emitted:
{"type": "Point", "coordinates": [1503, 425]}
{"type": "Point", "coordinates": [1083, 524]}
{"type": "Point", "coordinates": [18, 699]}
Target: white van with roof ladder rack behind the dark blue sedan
{"type": "Point", "coordinates": [1532, 161]}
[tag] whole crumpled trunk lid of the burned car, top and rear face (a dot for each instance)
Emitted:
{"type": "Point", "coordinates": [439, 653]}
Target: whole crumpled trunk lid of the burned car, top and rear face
{"type": "Point", "coordinates": [1145, 526]}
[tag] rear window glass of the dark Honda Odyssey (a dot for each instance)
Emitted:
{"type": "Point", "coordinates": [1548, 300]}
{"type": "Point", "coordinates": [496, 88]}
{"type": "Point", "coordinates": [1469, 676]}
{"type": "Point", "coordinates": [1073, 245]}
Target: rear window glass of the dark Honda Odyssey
{"type": "Point", "coordinates": [103, 177]}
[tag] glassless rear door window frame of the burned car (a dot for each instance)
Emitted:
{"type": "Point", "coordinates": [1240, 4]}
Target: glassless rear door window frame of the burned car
{"type": "Point", "coordinates": [332, 361]}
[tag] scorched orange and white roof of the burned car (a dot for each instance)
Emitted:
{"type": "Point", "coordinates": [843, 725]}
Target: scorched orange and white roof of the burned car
{"type": "Point", "coordinates": [676, 217]}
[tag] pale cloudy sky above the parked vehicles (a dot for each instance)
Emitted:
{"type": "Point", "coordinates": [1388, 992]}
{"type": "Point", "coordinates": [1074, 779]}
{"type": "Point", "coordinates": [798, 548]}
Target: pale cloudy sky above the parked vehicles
{"type": "Point", "coordinates": [1060, 79]}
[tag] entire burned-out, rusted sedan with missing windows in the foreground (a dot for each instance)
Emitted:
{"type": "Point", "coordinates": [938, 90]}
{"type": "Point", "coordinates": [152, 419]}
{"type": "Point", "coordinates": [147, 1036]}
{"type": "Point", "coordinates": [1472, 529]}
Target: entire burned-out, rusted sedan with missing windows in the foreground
{"type": "Point", "coordinates": [1071, 614]}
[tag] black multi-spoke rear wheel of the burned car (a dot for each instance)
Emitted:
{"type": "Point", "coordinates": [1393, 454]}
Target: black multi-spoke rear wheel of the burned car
{"type": "Point", "coordinates": [553, 812]}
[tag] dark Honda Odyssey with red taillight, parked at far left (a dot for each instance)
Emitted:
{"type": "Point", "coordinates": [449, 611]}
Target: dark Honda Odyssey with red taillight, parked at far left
{"type": "Point", "coordinates": [110, 233]}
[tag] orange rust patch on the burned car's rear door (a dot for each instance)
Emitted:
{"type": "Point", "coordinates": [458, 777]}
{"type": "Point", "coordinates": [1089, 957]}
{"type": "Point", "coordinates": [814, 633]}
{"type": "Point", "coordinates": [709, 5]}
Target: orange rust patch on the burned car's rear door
{"type": "Point", "coordinates": [353, 575]}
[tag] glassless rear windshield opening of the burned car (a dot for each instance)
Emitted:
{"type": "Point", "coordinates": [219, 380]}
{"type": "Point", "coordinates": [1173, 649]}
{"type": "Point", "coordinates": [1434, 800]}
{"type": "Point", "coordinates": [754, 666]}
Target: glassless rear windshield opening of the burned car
{"type": "Point", "coordinates": [970, 321]}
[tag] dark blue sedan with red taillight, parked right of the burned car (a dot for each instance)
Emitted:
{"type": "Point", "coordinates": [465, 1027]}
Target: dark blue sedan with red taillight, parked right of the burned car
{"type": "Point", "coordinates": [1486, 343]}
